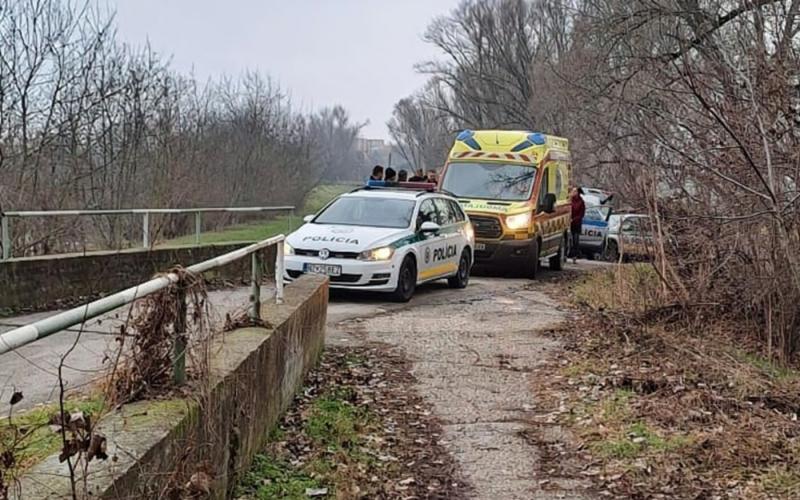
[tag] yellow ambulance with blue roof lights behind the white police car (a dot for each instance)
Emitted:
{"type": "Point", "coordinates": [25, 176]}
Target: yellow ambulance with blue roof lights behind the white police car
{"type": "Point", "coordinates": [514, 185]}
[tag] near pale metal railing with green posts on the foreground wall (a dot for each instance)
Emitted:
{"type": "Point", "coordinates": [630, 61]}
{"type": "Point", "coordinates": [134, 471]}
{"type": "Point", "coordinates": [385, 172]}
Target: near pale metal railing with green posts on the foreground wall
{"type": "Point", "coordinates": [58, 322]}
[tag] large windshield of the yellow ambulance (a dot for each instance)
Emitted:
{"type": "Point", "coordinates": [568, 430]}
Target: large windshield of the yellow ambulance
{"type": "Point", "coordinates": [491, 181]}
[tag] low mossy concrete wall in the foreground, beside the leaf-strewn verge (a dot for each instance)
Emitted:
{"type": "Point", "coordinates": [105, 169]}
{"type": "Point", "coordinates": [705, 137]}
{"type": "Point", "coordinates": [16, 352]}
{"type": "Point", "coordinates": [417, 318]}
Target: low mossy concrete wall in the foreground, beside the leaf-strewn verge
{"type": "Point", "coordinates": [255, 374]}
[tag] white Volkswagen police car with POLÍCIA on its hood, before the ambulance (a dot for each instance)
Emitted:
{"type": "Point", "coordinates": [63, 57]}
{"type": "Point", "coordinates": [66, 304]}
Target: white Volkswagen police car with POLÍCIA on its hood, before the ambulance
{"type": "Point", "coordinates": [385, 237]}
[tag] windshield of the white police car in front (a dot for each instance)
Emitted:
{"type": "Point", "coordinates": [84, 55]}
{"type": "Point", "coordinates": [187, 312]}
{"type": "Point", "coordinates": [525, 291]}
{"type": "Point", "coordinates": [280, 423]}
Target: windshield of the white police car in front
{"type": "Point", "coordinates": [368, 211]}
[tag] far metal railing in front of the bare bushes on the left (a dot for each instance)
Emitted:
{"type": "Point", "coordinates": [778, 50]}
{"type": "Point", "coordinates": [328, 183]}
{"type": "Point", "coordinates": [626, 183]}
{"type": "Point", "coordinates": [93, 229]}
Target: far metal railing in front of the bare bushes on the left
{"type": "Point", "coordinates": [5, 219]}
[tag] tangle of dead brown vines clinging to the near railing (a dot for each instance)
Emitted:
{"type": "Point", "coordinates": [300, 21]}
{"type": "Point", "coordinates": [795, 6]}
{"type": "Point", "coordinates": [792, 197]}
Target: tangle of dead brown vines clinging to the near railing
{"type": "Point", "coordinates": [145, 361]}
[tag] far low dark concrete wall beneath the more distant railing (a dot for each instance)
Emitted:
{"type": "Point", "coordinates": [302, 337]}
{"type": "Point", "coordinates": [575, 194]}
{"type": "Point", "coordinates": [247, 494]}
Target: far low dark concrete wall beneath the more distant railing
{"type": "Point", "coordinates": [45, 283]}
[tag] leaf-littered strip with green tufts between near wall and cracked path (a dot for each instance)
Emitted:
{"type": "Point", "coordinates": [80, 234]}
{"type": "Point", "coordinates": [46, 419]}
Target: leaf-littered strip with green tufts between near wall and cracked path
{"type": "Point", "coordinates": [357, 430]}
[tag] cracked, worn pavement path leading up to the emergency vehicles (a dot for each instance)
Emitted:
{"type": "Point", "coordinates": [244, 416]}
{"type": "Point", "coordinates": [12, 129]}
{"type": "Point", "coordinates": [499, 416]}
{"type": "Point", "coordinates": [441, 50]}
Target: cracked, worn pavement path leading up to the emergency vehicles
{"type": "Point", "coordinates": [471, 354]}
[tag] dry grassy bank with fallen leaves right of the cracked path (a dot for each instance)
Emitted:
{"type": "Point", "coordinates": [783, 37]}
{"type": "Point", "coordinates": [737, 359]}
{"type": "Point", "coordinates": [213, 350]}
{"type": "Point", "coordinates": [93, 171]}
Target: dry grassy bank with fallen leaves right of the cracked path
{"type": "Point", "coordinates": [663, 405]}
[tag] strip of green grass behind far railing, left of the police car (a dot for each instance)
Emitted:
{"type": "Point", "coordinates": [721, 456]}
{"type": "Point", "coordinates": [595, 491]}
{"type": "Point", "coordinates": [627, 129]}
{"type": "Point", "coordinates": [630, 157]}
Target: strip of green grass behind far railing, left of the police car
{"type": "Point", "coordinates": [256, 231]}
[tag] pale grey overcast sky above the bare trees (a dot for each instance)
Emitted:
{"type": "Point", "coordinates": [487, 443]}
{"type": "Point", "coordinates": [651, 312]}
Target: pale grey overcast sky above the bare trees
{"type": "Point", "coordinates": [357, 53]}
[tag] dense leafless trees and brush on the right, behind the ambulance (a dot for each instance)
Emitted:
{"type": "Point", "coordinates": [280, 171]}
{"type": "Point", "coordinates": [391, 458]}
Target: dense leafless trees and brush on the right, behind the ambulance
{"type": "Point", "coordinates": [688, 109]}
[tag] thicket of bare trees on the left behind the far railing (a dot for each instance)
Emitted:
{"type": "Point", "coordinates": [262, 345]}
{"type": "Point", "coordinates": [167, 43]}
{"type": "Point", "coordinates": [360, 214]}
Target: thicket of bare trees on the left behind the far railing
{"type": "Point", "coordinates": [86, 122]}
